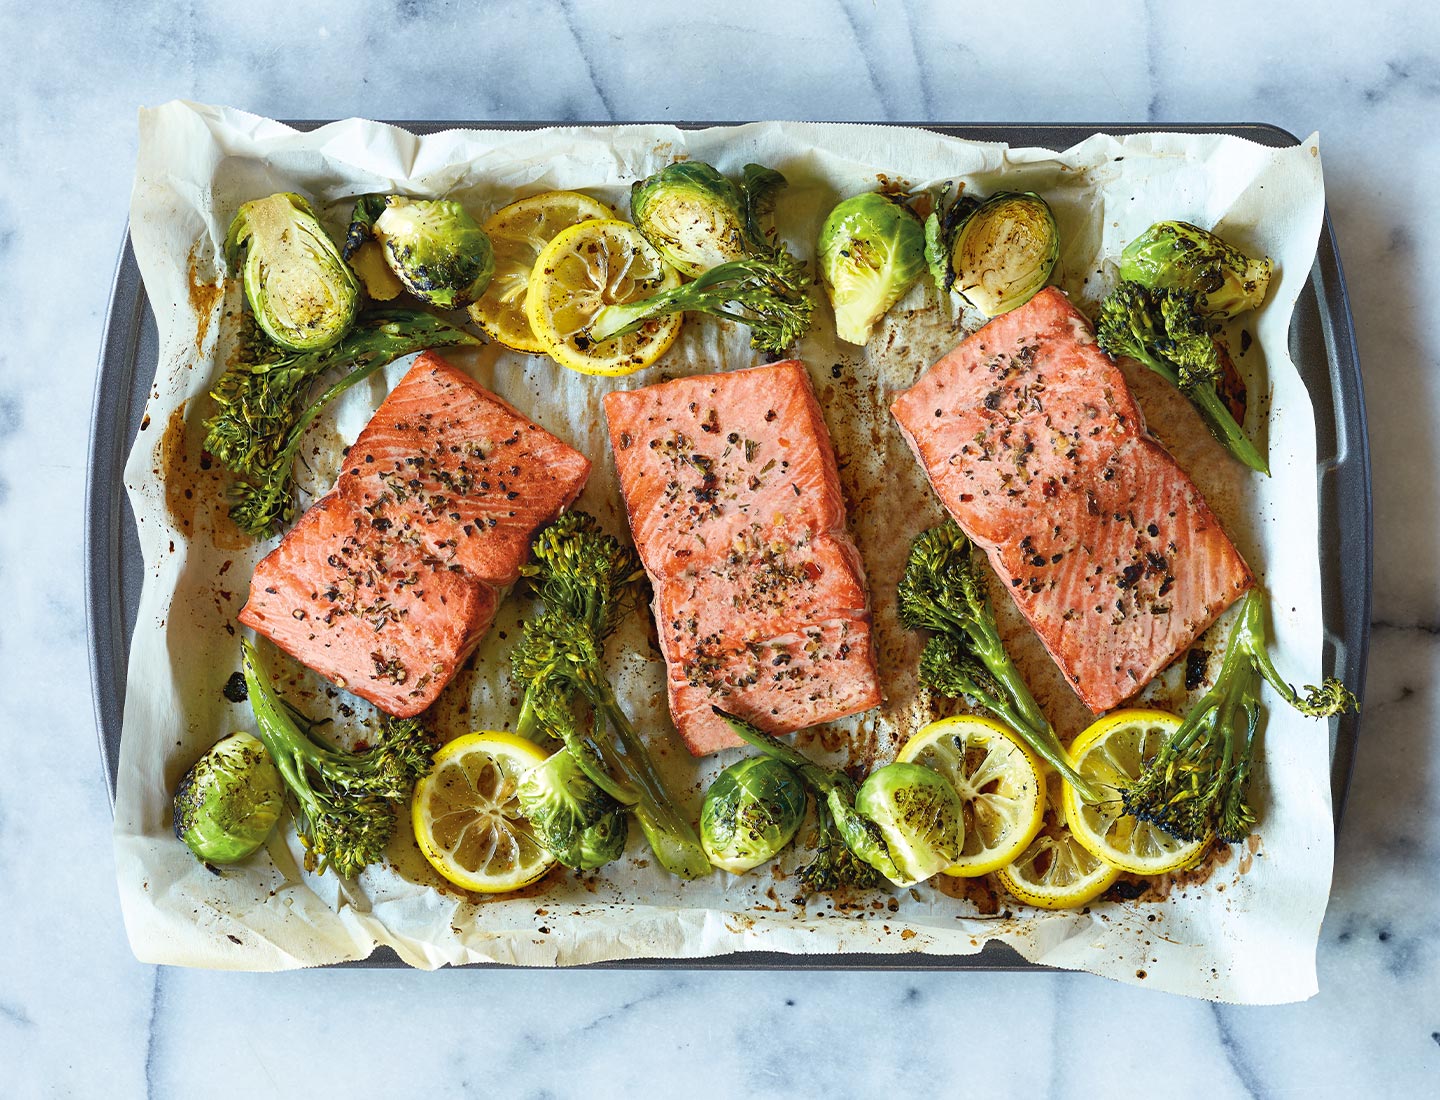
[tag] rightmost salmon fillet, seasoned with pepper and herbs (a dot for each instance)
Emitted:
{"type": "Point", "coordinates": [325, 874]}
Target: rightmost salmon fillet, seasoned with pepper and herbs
{"type": "Point", "coordinates": [1038, 448]}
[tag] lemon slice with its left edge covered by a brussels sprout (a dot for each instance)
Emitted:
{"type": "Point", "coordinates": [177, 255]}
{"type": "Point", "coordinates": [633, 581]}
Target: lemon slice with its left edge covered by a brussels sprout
{"type": "Point", "coordinates": [999, 781]}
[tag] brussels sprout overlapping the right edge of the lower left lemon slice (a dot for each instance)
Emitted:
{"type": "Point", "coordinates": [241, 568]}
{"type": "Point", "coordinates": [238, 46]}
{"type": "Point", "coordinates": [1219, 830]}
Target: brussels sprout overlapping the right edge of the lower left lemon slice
{"type": "Point", "coordinates": [574, 820]}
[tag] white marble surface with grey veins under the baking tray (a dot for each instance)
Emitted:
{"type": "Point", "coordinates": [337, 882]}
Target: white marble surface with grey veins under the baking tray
{"type": "Point", "coordinates": [78, 1017]}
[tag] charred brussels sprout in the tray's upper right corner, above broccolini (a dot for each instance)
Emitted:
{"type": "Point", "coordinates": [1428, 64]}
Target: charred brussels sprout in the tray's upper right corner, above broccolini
{"type": "Point", "coordinates": [1180, 257]}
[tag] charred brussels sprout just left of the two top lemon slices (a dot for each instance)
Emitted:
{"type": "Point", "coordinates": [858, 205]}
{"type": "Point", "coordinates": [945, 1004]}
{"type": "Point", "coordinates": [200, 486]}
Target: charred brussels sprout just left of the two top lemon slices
{"type": "Point", "coordinates": [437, 250]}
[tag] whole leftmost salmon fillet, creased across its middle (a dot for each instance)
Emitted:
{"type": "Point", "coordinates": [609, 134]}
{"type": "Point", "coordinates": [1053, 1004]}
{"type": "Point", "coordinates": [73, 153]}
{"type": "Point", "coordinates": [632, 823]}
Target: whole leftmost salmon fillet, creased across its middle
{"type": "Point", "coordinates": [390, 581]}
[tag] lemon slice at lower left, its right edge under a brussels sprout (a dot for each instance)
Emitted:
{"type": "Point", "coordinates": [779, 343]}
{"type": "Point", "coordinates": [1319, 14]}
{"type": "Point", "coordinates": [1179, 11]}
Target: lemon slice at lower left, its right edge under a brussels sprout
{"type": "Point", "coordinates": [467, 817]}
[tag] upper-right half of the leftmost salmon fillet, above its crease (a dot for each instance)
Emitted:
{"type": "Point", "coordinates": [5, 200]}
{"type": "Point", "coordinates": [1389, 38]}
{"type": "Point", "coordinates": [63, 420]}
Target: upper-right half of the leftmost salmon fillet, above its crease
{"type": "Point", "coordinates": [454, 466]}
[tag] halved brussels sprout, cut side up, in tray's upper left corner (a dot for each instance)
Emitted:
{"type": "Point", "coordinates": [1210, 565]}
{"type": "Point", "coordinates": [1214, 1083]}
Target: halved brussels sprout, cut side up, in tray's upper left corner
{"type": "Point", "coordinates": [303, 294]}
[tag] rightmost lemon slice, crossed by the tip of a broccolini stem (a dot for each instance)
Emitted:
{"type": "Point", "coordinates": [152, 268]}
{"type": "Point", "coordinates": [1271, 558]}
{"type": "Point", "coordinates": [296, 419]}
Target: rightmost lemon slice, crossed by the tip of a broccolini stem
{"type": "Point", "coordinates": [1112, 752]}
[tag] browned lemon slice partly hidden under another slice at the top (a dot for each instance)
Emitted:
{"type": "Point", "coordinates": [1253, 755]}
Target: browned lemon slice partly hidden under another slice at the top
{"type": "Point", "coordinates": [519, 234]}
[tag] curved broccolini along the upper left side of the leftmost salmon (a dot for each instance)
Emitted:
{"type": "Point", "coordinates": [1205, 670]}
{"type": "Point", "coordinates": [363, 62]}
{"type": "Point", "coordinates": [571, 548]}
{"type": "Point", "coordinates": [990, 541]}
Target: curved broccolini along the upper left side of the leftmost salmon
{"type": "Point", "coordinates": [263, 414]}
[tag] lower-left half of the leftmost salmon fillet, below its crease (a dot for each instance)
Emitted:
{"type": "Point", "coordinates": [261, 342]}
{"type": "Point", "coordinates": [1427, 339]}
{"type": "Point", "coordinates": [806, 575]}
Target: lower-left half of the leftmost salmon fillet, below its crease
{"type": "Point", "coordinates": [377, 616]}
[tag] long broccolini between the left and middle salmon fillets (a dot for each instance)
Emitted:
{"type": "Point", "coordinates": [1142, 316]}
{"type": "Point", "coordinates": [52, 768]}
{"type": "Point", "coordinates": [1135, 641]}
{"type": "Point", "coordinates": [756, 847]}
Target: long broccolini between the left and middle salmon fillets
{"type": "Point", "coordinates": [588, 581]}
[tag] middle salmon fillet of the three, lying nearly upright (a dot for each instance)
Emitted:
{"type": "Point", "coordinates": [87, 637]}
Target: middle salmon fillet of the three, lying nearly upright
{"type": "Point", "coordinates": [735, 505]}
